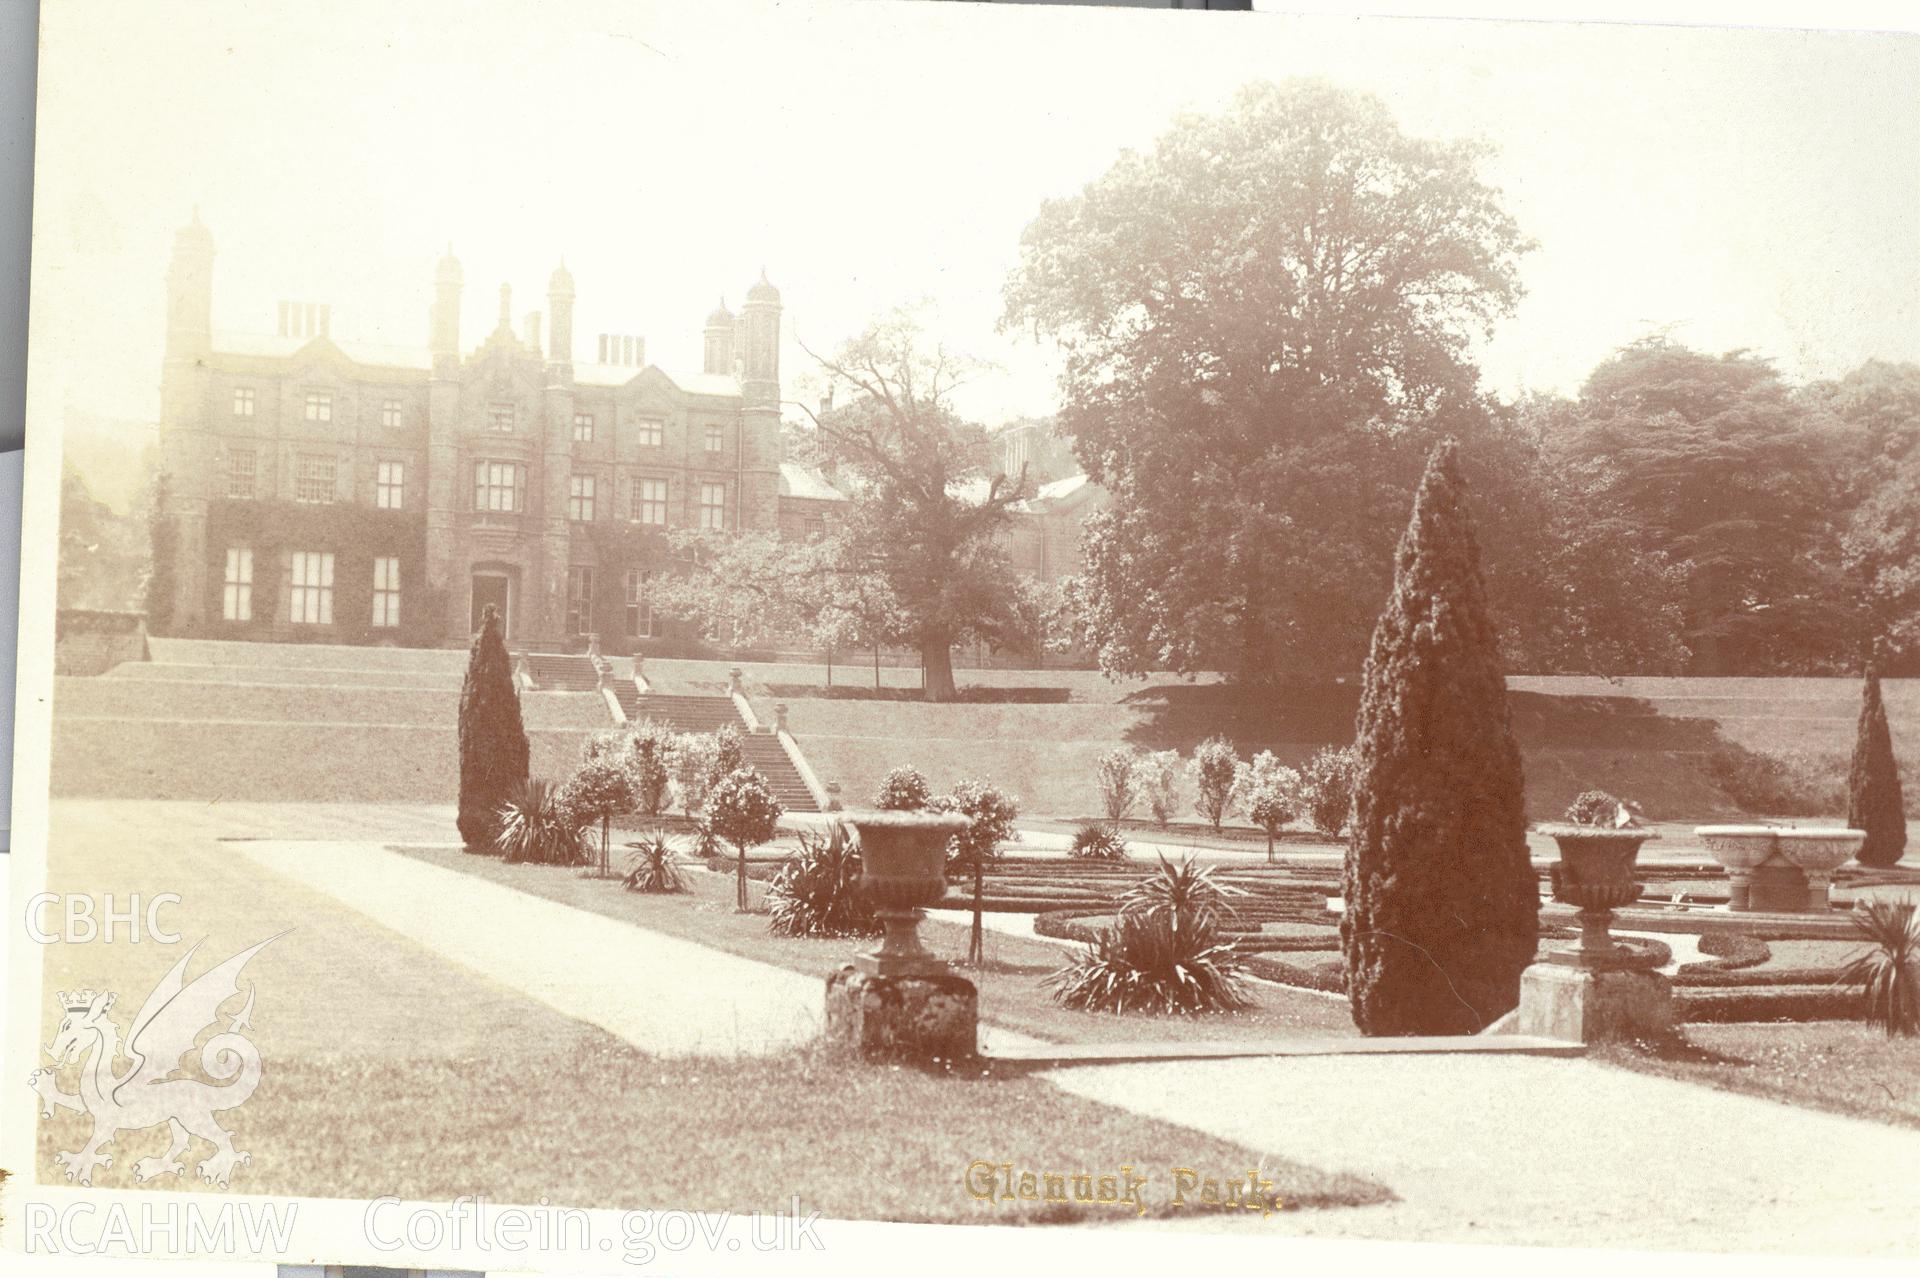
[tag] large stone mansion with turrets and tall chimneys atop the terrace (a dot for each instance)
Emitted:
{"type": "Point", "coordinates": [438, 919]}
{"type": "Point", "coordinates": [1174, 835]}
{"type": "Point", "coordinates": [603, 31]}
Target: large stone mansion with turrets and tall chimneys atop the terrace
{"type": "Point", "coordinates": [331, 492]}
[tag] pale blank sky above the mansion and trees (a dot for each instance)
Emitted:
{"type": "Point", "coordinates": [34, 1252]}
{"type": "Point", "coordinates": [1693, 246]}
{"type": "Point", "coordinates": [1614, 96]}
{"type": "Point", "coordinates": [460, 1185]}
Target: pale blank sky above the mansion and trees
{"type": "Point", "coordinates": [1739, 189]}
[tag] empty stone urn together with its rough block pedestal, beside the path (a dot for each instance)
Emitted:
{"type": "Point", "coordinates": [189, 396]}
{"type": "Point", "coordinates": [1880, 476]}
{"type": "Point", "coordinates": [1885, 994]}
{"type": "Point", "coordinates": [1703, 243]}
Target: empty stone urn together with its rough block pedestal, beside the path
{"type": "Point", "coordinates": [900, 1001]}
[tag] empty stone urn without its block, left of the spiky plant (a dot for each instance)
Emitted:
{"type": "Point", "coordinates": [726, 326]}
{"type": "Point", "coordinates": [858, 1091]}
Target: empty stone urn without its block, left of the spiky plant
{"type": "Point", "coordinates": [903, 868]}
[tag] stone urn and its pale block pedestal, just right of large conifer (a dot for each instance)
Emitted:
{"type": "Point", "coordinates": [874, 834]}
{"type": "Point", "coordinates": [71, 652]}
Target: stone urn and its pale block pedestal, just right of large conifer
{"type": "Point", "coordinates": [1596, 989]}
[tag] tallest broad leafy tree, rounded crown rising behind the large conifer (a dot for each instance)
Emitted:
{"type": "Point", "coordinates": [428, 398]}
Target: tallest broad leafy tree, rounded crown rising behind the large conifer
{"type": "Point", "coordinates": [1264, 323]}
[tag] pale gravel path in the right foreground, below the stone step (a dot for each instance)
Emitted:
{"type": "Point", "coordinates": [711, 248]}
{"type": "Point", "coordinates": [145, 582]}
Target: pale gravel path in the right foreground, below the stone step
{"type": "Point", "coordinates": [1547, 1152]}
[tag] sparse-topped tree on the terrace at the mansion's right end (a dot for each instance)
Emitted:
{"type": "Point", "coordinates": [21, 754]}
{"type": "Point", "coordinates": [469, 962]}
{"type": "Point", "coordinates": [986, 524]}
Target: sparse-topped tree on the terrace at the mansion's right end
{"type": "Point", "coordinates": [926, 509]}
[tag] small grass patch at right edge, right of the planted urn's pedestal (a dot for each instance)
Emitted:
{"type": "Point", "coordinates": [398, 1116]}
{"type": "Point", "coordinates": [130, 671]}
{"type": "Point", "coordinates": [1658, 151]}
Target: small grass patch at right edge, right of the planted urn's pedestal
{"type": "Point", "coordinates": [1842, 1066]}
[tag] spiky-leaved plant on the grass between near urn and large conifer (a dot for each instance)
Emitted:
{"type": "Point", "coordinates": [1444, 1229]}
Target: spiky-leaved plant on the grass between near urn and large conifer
{"type": "Point", "coordinates": [1145, 964]}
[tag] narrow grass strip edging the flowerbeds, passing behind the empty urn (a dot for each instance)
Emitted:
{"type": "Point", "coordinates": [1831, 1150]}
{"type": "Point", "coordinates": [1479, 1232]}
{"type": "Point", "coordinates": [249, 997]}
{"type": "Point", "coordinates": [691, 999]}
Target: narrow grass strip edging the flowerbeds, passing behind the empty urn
{"type": "Point", "coordinates": [1011, 987]}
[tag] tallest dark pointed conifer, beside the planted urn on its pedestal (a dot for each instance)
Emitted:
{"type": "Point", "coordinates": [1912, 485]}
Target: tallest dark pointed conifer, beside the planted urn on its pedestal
{"type": "Point", "coordinates": [1443, 909]}
